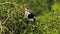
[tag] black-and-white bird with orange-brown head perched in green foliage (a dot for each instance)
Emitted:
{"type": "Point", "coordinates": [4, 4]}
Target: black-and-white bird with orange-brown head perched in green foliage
{"type": "Point", "coordinates": [28, 14]}
